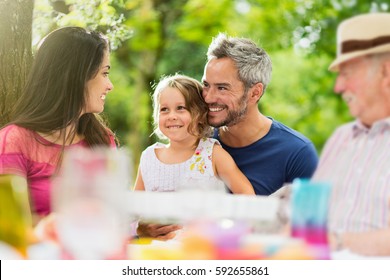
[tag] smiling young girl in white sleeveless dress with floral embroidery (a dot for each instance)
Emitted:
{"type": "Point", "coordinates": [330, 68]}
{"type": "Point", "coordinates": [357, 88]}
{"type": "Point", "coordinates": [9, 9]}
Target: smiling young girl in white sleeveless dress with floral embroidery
{"type": "Point", "coordinates": [190, 158]}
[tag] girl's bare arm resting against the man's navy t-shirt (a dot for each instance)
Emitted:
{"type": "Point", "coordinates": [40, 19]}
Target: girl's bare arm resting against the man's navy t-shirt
{"type": "Point", "coordinates": [227, 170]}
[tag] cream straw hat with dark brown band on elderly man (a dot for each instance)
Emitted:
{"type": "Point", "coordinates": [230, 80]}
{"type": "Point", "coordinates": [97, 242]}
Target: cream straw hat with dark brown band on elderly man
{"type": "Point", "coordinates": [362, 35]}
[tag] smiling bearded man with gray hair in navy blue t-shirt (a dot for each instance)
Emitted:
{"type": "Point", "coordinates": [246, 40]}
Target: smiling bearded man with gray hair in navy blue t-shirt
{"type": "Point", "coordinates": [269, 153]}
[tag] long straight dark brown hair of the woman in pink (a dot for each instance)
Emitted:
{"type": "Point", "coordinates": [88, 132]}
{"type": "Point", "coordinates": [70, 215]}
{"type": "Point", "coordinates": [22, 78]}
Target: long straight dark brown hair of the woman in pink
{"type": "Point", "coordinates": [55, 92]}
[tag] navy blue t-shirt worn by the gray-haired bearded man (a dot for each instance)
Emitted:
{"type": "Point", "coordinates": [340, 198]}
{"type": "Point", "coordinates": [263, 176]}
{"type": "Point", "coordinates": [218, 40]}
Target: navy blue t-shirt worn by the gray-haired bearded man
{"type": "Point", "coordinates": [278, 158]}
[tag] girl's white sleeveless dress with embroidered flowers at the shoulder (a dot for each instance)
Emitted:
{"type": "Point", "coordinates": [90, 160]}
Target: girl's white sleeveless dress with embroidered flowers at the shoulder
{"type": "Point", "coordinates": [196, 172]}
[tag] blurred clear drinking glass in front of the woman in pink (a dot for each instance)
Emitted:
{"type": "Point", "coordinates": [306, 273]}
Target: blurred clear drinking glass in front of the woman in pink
{"type": "Point", "coordinates": [89, 201]}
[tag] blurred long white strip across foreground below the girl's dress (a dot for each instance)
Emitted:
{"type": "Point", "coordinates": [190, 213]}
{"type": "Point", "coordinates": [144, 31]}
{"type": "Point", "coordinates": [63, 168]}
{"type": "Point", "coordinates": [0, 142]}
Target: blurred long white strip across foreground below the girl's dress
{"type": "Point", "coordinates": [199, 204]}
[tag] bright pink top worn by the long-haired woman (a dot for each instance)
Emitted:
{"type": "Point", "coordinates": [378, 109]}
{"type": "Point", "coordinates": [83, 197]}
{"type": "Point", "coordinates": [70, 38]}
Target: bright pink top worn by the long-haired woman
{"type": "Point", "coordinates": [25, 153]}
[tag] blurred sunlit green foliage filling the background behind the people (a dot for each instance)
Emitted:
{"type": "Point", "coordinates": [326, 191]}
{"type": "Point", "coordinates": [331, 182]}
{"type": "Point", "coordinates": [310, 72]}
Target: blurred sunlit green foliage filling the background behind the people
{"type": "Point", "coordinates": [161, 37]}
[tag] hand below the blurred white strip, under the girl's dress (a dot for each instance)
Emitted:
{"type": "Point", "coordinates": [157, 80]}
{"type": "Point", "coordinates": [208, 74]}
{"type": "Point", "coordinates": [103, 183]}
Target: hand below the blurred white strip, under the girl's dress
{"type": "Point", "coordinates": [157, 231]}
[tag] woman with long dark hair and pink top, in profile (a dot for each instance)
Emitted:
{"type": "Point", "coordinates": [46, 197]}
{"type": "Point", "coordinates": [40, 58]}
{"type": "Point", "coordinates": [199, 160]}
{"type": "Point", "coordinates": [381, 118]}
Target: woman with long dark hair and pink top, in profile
{"type": "Point", "coordinates": [58, 109]}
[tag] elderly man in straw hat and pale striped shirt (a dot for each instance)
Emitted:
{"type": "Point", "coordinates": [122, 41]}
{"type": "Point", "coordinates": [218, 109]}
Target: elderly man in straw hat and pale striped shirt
{"type": "Point", "coordinates": [356, 159]}
